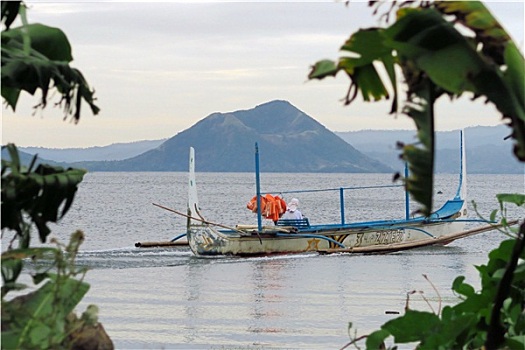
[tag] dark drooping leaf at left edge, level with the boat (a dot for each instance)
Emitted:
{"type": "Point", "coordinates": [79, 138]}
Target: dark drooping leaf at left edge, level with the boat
{"type": "Point", "coordinates": [31, 198]}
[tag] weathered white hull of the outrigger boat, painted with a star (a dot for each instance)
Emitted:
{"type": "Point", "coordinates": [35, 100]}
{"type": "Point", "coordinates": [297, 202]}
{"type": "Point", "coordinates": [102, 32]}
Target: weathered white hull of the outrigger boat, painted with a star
{"type": "Point", "coordinates": [206, 240]}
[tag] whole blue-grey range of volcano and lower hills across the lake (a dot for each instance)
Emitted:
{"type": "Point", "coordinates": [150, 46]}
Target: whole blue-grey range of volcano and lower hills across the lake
{"type": "Point", "coordinates": [289, 140]}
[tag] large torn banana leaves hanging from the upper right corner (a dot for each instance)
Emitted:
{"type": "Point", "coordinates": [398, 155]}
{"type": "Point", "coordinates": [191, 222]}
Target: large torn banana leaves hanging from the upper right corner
{"type": "Point", "coordinates": [422, 43]}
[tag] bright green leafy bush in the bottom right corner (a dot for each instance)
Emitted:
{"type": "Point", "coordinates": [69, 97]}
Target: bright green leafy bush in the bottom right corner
{"type": "Point", "coordinates": [497, 311]}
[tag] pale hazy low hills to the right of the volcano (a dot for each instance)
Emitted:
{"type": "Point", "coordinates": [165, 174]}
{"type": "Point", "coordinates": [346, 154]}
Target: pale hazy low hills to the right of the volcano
{"type": "Point", "coordinates": [487, 151]}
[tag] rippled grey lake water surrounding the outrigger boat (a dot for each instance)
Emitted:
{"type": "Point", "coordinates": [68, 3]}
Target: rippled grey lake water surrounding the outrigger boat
{"type": "Point", "coordinates": [165, 298]}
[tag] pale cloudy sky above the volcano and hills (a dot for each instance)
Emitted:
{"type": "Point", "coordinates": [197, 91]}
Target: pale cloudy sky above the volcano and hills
{"type": "Point", "coordinates": [159, 67]}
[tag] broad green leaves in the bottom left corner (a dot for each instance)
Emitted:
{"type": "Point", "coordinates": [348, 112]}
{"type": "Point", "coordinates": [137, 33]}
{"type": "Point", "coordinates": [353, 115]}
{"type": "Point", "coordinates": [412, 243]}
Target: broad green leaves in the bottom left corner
{"type": "Point", "coordinates": [39, 319]}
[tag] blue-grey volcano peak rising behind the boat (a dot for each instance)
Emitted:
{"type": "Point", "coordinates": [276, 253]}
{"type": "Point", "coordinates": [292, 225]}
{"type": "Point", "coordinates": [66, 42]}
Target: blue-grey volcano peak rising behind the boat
{"type": "Point", "coordinates": [288, 139]}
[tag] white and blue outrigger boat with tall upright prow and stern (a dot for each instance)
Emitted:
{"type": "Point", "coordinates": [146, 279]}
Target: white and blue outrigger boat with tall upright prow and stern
{"type": "Point", "coordinates": [443, 226]}
